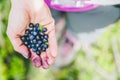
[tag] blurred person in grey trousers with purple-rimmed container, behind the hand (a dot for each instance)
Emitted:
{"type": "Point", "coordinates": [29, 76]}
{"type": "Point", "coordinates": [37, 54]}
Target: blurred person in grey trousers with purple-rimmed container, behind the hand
{"type": "Point", "coordinates": [85, 21]}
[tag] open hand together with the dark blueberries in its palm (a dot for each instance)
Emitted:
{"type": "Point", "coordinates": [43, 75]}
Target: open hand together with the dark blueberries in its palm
{"type": "Point", "coordinates": [17, 24]}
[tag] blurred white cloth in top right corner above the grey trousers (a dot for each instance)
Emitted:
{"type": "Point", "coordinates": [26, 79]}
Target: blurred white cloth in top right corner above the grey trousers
{"type": "Point", "coordinates": [104, 2]}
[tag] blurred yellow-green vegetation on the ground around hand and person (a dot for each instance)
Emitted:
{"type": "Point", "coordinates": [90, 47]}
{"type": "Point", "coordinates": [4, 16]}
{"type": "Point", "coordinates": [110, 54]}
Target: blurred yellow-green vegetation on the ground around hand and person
{"type": "Point", "coordinates": [100, 62]}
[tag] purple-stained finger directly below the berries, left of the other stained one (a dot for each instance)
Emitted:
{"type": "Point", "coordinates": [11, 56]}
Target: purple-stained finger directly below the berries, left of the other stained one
{"type": "Point", "coordinates": [35, 59]}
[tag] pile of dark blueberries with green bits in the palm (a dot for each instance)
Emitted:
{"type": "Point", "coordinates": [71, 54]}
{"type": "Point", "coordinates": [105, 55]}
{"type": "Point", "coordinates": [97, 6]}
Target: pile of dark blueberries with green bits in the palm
{"type": "Point", "coordinates": [35, 38]}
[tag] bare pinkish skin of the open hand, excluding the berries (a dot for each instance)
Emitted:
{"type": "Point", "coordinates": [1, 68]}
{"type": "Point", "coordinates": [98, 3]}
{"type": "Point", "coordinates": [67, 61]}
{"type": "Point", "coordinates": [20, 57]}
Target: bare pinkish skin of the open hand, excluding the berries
{"type": "Point", "coordinates": [36, 11]}
